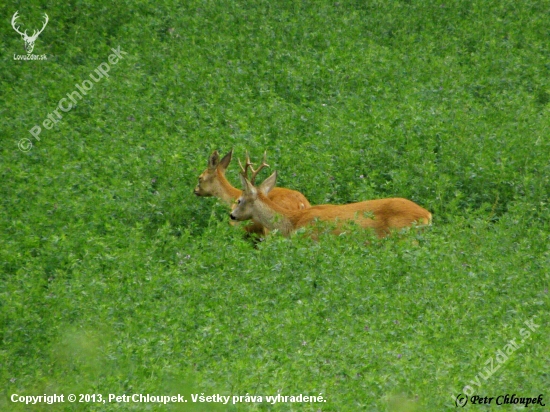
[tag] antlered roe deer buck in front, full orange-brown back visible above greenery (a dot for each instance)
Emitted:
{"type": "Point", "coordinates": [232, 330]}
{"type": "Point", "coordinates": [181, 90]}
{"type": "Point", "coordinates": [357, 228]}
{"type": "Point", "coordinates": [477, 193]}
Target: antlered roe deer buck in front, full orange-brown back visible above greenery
{"type": "Point", "coordinates": [382, 215]}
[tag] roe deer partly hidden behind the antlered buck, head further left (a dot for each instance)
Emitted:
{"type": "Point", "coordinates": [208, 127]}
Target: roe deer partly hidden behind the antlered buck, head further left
{"type": "Point", "coordinates": [212, 182]}
